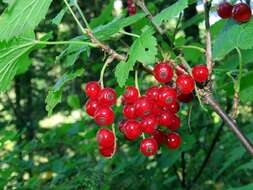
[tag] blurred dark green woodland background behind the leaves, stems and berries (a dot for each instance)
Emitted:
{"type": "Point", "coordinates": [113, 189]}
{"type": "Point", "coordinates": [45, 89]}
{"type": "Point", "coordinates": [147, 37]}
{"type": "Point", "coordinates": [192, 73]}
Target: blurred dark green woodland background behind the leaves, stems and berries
{"type": "Point", "coordinates": [38, 151]}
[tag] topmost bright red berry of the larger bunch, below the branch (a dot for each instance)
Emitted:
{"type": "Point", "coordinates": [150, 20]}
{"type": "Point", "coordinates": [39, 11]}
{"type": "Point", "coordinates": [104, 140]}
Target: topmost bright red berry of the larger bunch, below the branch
{"type": "Point", "coordinates": [163, 72]}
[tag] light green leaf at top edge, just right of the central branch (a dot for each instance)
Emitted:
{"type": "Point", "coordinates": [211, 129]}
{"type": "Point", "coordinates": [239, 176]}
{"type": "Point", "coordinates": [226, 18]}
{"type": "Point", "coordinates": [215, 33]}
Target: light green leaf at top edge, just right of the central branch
{"type": "Point", "coordinates": [170, 11]}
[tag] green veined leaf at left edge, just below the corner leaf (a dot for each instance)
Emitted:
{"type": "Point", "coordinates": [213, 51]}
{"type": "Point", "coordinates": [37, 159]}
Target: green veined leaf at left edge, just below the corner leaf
{"type": "Point", "coordinates": [12, 56]}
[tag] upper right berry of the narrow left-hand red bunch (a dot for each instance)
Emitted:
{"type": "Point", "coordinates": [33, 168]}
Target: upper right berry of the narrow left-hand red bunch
{"type": "Point", "coordinates": [107, 97]}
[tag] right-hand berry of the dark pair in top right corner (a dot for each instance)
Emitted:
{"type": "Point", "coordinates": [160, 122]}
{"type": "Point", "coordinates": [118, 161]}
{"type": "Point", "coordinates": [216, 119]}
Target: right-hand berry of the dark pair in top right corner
{"type": "Point", "coordinates": [241, 12]}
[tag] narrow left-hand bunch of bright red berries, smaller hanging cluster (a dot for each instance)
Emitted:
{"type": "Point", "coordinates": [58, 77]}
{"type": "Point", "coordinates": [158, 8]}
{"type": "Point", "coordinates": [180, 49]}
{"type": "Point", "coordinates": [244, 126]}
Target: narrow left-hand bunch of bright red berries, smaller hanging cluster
{"type": "Point", "coordinates": [99, 108]}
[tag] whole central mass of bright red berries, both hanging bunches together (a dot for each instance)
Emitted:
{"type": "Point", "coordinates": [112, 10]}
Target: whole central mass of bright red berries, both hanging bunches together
{"type": "Point", "coordinates": [143, 114]}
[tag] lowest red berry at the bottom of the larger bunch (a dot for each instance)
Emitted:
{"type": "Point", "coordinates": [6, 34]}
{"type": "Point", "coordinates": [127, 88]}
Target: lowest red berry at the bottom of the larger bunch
{"type": "Point", "coordinates": [149, 146]}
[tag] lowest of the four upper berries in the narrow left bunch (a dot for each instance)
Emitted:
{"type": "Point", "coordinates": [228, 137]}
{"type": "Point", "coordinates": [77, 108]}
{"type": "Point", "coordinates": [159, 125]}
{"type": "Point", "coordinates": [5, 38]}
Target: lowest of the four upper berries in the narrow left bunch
{"type": "Point", "coordinates": [104, 116]}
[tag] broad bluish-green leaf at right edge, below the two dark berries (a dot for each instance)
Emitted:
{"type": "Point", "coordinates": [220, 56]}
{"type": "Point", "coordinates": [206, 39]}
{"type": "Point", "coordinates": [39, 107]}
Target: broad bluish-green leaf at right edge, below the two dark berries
{"type": "Point", "coordinates": [233, 36]}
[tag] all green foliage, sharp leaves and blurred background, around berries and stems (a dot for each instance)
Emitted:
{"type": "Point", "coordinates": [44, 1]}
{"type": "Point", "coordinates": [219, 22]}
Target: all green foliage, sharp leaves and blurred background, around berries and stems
{"type": "Point", "coordinates": [48, 142]}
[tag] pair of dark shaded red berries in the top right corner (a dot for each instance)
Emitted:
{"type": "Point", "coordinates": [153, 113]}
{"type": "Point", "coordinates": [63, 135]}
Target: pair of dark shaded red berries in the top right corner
{"type": "Point", "coordinates": [240, 12]}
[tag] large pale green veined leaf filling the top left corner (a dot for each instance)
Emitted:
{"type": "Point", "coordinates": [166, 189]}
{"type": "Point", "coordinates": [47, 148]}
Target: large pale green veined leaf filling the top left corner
{"type": "Point", "coordinates": [24, 16]}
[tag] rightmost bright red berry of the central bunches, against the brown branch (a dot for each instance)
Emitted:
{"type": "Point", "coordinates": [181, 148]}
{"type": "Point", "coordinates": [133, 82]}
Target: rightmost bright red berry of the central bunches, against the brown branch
{"type": "Point", "coordinates": [200, 73]}
